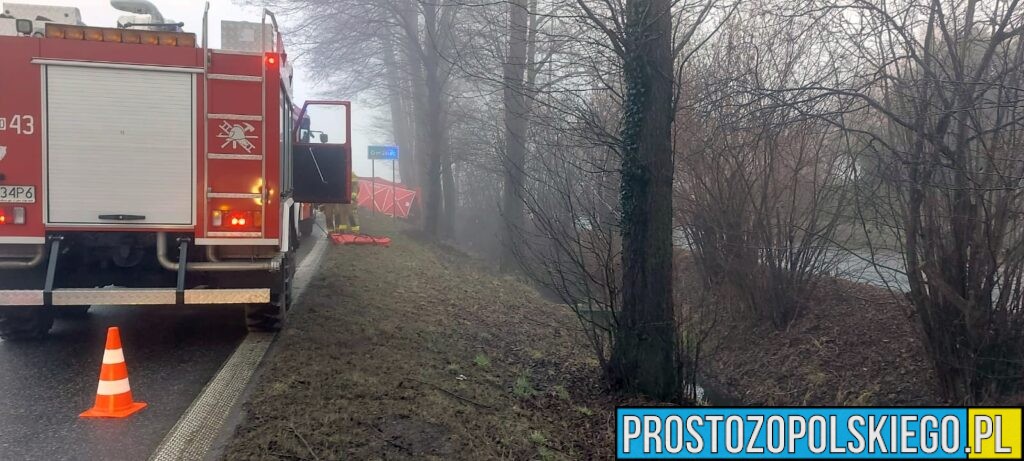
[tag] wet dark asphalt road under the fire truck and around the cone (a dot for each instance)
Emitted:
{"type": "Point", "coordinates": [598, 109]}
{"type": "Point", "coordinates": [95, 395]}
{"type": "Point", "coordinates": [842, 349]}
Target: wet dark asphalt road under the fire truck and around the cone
{"type": "Point", "coordinates": [172, 354]}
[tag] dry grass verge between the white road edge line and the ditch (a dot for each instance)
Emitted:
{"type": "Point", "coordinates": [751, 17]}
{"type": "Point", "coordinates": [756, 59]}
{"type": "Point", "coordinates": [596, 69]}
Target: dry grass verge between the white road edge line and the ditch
{"type": "Point", "coordinates": [412, 352]}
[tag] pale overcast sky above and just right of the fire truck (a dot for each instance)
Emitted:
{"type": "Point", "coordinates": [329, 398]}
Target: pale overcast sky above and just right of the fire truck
{"type": "Point", "coordinates": [101, 14]}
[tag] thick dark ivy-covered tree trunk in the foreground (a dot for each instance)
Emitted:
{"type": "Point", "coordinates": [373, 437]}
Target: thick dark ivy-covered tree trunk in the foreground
{"type": "Point", "coordinates": [645, 356]}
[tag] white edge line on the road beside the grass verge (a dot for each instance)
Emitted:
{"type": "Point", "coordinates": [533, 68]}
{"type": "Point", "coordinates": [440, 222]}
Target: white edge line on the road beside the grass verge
{"type": "Point", "coordinates": [194, 435]}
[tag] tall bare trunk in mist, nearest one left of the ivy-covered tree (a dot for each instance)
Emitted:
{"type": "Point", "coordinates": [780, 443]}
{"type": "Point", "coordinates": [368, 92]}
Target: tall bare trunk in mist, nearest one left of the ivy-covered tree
{"type": "Point", "coordinates": [516, 131]}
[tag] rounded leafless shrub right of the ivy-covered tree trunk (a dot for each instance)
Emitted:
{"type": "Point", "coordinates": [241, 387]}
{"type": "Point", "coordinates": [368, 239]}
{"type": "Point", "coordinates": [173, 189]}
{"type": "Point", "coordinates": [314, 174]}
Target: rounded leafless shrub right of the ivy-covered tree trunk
{"type": "Point", "coordinates": [762, 182]}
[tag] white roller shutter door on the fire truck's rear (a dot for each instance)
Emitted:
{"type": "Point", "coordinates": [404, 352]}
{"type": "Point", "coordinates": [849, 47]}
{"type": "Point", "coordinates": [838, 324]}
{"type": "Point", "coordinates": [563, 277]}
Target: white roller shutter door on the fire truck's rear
{"type": "Point", "coordinates": [120, 147]}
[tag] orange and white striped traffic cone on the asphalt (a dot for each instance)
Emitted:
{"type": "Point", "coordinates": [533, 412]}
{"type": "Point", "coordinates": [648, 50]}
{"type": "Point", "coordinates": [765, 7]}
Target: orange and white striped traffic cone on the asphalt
{"type": "Point", "coordinates": [114, 394]}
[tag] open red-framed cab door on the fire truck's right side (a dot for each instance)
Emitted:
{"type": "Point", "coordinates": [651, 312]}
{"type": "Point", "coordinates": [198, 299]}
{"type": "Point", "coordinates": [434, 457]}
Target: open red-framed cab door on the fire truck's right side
{"type": "Point", "coordinates": [323, 153]}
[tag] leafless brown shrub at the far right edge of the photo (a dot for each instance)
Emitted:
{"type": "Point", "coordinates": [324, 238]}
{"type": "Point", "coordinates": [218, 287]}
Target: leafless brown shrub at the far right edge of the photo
{"type": "Point", "coordinates": [945, 79]}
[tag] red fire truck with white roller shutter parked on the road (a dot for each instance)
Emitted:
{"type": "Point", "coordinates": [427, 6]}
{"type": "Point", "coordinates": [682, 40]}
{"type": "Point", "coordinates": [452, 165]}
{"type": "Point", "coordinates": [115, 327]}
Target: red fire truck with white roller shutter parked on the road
{"type": "Point", "coordinates": [140, 167]}
